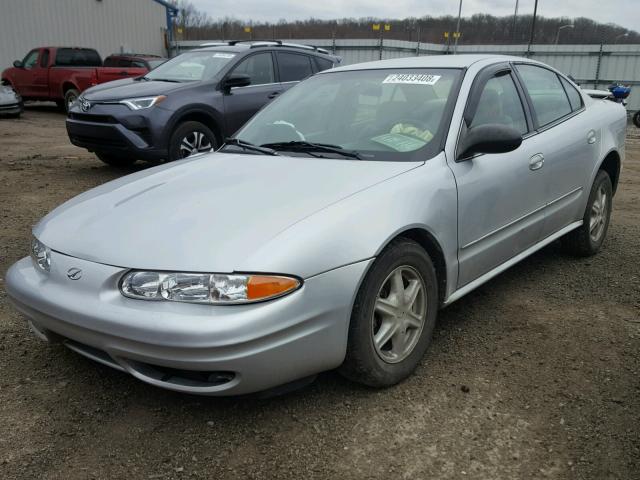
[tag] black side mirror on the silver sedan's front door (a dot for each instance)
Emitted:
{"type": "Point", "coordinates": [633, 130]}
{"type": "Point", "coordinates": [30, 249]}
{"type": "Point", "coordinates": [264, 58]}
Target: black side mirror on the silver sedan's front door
{"type": "Point", "coordinates": [489, 138]}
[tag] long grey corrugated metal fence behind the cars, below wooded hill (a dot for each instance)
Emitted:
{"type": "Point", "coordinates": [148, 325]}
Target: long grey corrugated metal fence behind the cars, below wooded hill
{"type": "Point", "coordinates": [620, 63]}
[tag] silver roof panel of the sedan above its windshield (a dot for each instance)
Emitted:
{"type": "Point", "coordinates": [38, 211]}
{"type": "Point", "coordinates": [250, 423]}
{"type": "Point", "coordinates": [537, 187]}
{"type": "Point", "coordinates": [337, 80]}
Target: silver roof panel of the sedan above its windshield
{"type": "Point", "coordinates": [431, 61]}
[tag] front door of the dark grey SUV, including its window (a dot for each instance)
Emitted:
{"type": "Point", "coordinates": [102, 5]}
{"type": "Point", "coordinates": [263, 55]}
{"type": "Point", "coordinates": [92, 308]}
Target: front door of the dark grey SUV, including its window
{"type": "Point", "coordinates": [241, 103]}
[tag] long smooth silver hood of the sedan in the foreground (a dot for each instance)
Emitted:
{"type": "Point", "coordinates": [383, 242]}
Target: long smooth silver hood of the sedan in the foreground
{"type": "Point", "coordinates": [206, 214]}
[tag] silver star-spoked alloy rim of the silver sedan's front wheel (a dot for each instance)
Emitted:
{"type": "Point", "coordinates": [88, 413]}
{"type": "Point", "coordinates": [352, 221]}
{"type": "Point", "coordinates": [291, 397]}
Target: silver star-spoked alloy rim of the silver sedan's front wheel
{"type": "Point", "coordinates": [399, 315]}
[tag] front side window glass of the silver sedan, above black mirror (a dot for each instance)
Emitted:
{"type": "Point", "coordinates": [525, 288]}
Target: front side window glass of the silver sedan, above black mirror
{"type": "Point", "coordinates": [500, 103]}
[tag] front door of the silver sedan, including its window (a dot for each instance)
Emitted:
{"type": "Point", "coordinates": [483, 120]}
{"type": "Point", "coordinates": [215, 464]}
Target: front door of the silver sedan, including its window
{"type": "Point", "coordinates": [501, 197]}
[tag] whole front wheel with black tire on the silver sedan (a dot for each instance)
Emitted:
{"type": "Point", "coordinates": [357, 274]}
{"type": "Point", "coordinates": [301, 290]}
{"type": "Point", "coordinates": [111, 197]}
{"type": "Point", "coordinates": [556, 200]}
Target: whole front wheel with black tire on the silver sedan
{"type": "Point", "coordinates": [382, 365]}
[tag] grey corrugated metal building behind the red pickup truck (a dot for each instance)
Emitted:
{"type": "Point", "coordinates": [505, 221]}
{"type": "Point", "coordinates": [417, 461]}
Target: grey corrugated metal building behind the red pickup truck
{"type": "Point", "coordinates": [109, 26]}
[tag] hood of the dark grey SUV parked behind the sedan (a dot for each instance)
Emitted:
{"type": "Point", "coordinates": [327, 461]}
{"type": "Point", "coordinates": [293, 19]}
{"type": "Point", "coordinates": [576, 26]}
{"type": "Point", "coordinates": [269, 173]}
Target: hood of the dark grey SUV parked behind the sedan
{"type": "Point", "coordinates": [130, 88]}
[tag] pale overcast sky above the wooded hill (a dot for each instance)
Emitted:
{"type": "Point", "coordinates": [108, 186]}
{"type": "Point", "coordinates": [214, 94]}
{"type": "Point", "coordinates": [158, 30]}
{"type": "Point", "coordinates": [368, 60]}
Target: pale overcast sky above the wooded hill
{"type": "Point", "coordinates": [622, 12]}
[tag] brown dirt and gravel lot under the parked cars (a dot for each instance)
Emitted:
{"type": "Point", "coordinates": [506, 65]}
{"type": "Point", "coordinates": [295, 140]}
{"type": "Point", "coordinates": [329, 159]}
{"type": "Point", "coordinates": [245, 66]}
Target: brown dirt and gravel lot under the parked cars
{"type": "Point", "coordinates": [535, 375]}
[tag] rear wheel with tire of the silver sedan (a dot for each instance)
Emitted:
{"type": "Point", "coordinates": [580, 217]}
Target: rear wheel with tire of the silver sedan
{"type": "Point", "coordinates": [587, 240]}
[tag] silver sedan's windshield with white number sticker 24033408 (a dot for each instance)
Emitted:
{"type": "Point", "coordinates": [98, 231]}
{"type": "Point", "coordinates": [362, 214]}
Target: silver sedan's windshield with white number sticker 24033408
{"type": "Point", "coordinates": [391, 115]}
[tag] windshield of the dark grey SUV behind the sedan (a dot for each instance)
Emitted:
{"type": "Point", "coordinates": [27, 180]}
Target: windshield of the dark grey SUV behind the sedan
{"type": "Point", "coordinates": [191, 66]}
